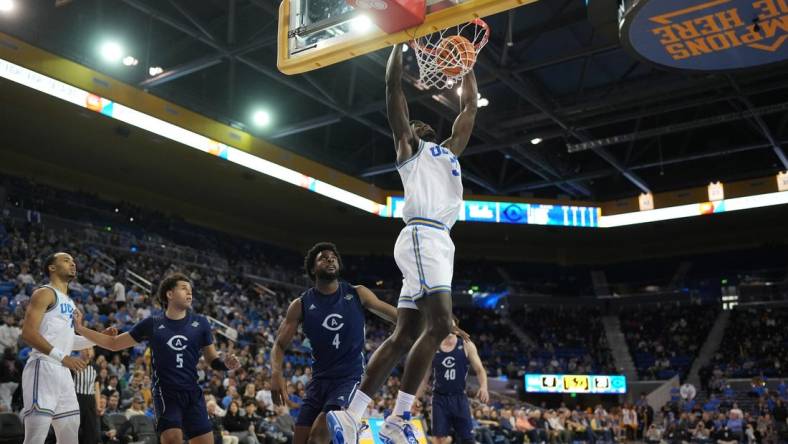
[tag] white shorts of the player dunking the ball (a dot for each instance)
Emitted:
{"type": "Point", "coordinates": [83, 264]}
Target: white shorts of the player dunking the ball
{"type": "Point", "coordinates": [425, 256]}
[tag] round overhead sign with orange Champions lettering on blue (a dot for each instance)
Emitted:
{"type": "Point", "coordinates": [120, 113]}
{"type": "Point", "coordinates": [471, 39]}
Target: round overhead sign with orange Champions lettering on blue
{"type": "Point", "coordinates": [707, 35]}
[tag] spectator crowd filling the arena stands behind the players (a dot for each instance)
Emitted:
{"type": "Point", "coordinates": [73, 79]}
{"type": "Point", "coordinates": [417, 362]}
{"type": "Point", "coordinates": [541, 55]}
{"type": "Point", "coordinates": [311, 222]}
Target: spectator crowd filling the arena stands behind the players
{"type": "Point", "coordinates": [245, 291]}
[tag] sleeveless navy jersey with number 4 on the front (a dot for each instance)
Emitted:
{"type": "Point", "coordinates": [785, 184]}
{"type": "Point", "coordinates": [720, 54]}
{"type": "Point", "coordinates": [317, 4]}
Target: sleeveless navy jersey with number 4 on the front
{"type": "Point", "coordinates": [334, 324]}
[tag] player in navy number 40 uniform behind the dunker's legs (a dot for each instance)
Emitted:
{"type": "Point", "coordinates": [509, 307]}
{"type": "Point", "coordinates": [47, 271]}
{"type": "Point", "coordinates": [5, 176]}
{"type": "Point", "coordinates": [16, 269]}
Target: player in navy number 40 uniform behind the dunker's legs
{"type": "Point", "coordinates": [450, 409]}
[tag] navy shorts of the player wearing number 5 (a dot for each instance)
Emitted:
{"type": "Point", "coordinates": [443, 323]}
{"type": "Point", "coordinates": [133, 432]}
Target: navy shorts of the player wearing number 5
{"type": "Point", "coordinates": [181, 409]}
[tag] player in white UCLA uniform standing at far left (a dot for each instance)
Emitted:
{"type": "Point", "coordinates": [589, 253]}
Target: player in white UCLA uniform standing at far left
{"type": "Point", "coordinates": [47, 387]}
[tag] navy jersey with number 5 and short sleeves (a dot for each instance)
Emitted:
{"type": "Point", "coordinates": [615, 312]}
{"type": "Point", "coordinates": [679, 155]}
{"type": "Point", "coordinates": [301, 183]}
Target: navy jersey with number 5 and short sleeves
{"type": "Point", "coordinates": [176, 347]}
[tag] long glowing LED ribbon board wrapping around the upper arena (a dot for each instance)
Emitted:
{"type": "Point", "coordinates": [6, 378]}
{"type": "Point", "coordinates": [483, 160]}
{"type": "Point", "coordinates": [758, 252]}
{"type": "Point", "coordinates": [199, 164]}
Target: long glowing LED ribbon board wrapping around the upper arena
{"type": "Point", "coordinates": [472, 211]}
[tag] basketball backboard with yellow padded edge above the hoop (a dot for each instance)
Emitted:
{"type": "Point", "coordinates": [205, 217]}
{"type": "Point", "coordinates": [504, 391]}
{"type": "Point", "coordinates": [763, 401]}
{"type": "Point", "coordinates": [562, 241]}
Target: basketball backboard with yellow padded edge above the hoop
{"type": "Point", "coordinates": [318, 33]}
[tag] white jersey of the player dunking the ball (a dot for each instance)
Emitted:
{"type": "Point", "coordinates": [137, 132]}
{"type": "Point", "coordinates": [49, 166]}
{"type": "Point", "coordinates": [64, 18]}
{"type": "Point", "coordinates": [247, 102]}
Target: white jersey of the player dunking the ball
{"type": "Point", "coordinates": [432, 179]}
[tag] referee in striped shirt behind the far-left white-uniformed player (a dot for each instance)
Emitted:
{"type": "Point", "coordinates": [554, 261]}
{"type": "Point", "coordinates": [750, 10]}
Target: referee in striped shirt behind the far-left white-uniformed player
{"type": "Point", "coordinates": [88, 395]}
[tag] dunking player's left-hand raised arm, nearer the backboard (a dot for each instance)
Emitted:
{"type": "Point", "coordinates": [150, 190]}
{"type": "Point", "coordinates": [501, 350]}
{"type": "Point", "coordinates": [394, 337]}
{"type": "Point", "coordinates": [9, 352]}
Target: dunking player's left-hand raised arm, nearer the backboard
{"type": "Point", "coordinates": [397, 107]}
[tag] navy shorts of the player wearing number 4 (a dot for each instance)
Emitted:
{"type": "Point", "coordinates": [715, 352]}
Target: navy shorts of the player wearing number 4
{"type": "Point", "coordinates": [323, 396]}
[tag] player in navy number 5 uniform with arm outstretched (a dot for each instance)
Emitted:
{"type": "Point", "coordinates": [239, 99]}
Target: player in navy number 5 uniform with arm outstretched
{"type": "Point", "coordinates": [176, 339]}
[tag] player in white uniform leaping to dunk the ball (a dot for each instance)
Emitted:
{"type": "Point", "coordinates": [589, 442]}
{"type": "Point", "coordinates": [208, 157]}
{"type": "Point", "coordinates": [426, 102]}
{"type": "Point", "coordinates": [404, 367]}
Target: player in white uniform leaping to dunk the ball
{"type": "Point", "coordinates": [424, 252]}
